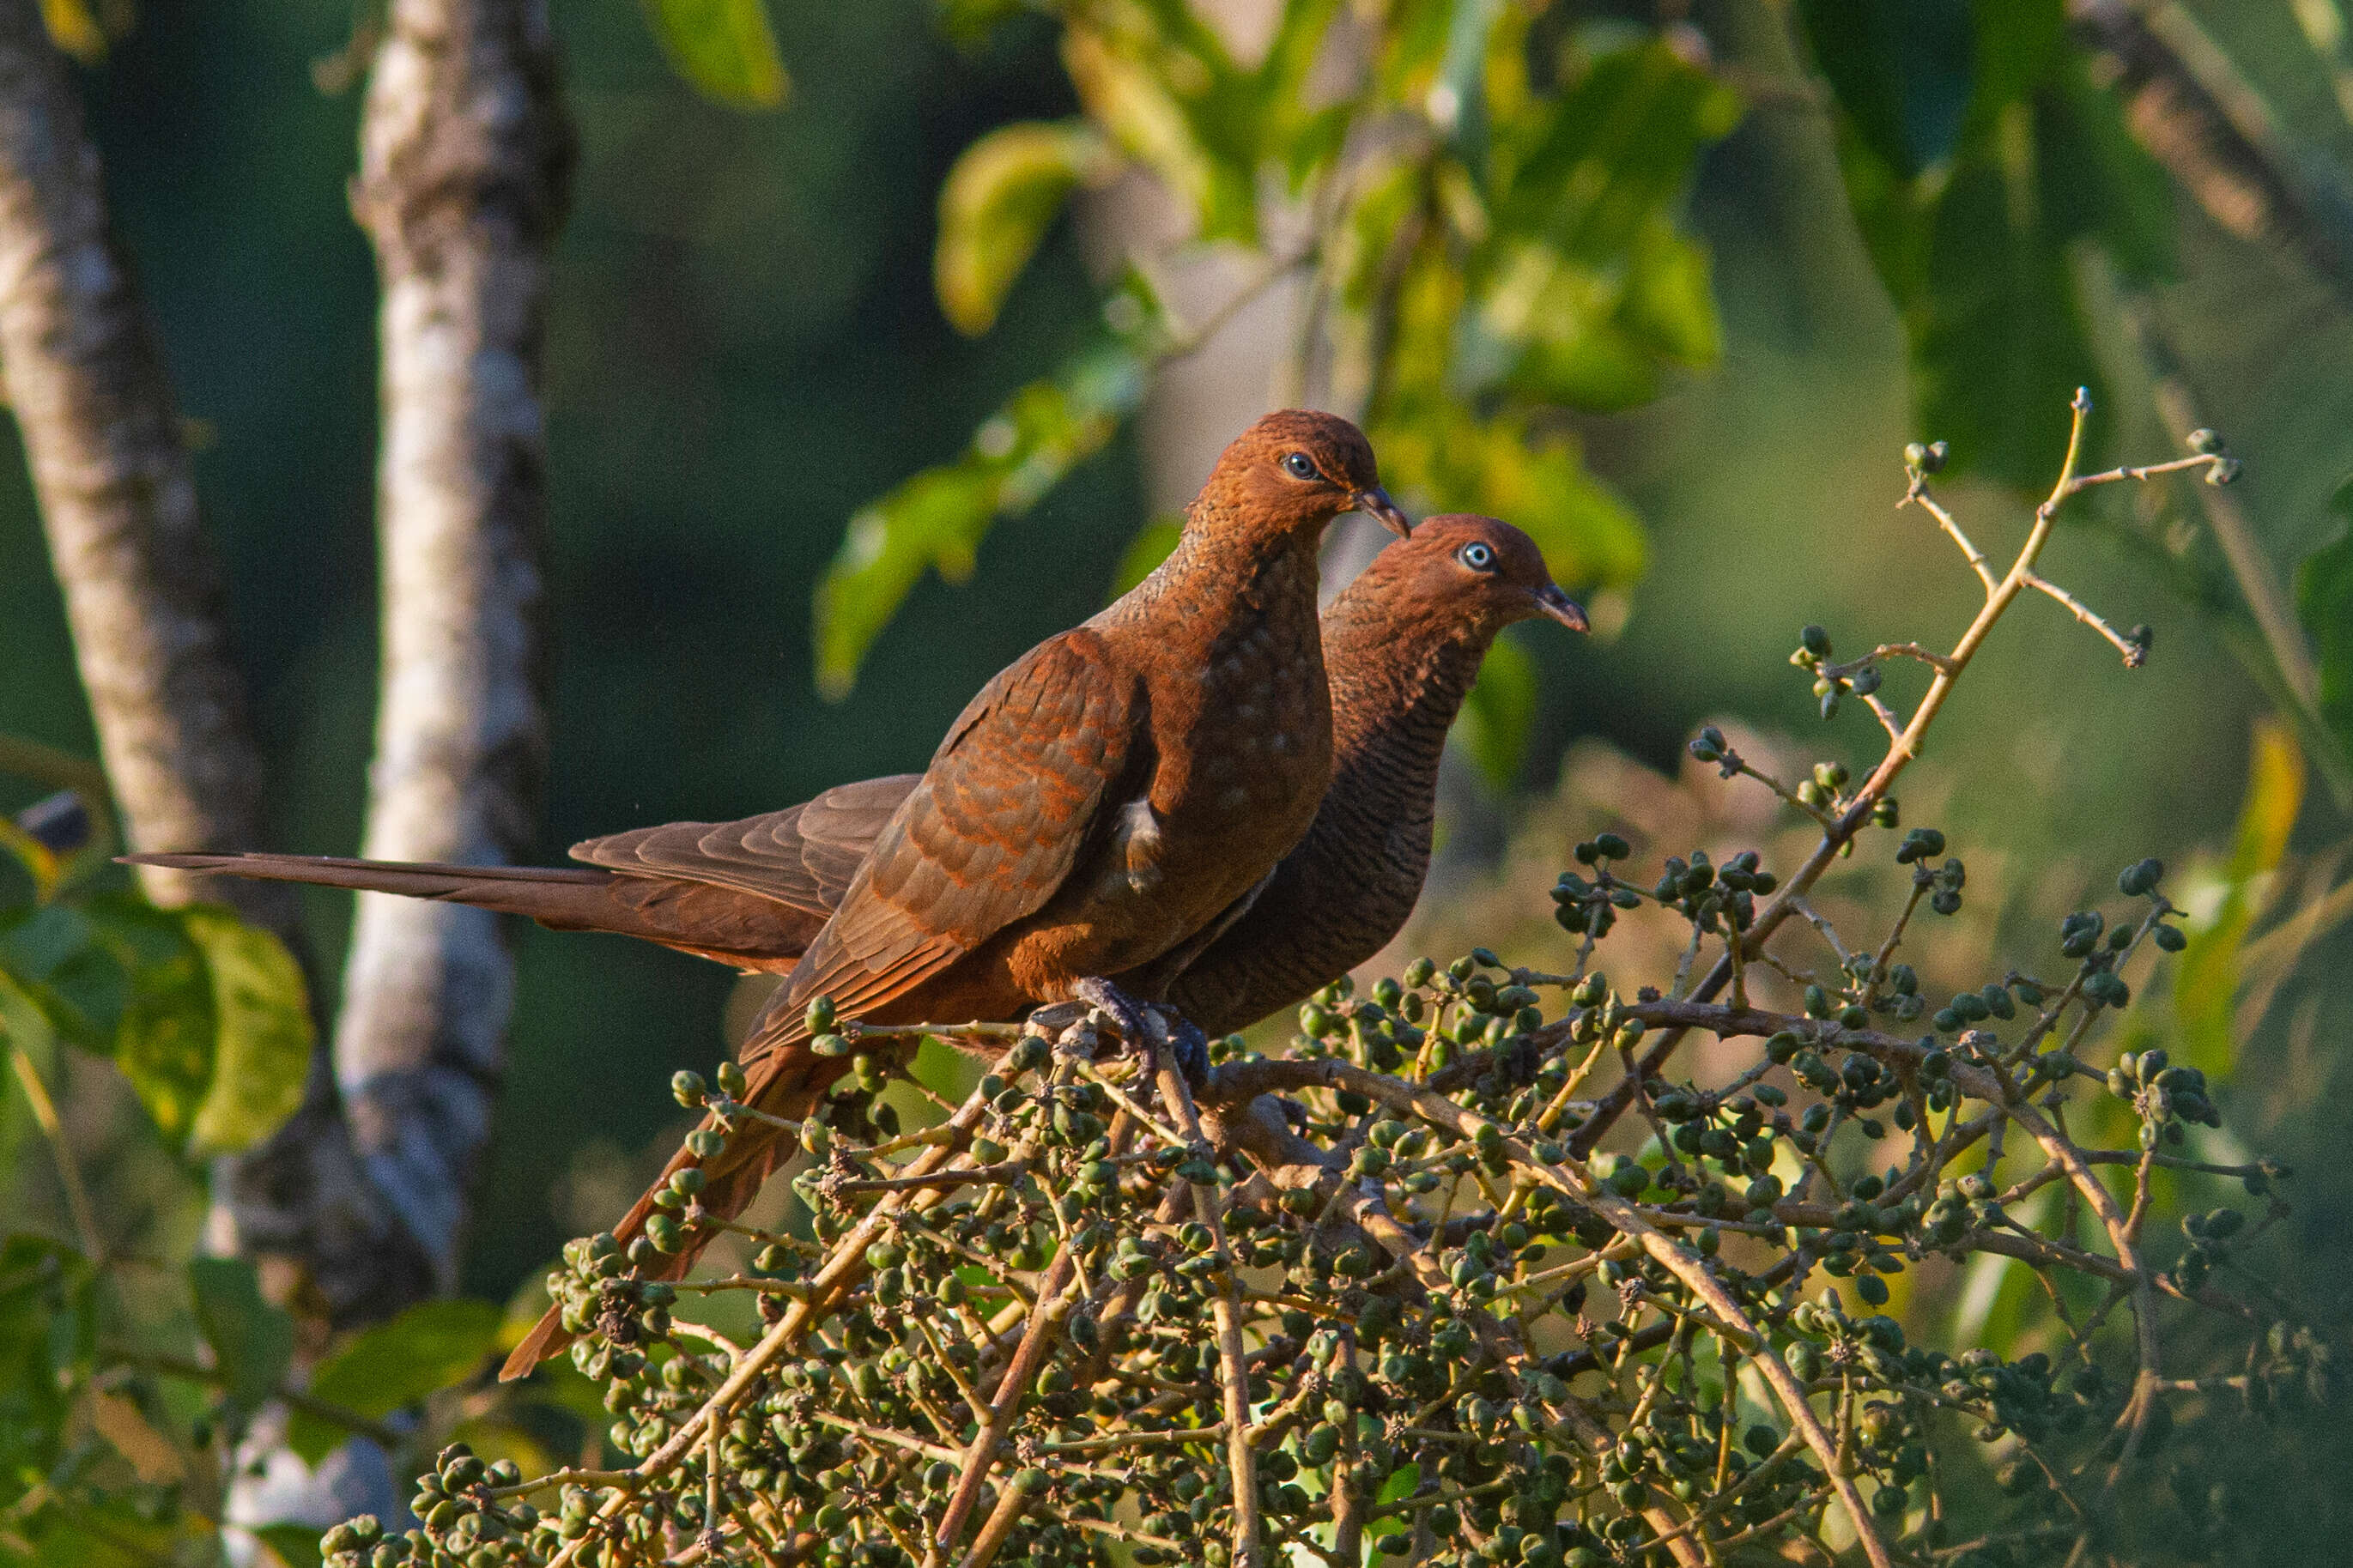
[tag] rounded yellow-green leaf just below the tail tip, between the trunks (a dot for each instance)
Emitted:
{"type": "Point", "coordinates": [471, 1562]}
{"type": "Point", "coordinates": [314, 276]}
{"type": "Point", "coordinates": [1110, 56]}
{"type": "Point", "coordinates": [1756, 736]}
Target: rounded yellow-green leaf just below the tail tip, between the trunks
{"type": "Point", "coordinates": [262, 1045]}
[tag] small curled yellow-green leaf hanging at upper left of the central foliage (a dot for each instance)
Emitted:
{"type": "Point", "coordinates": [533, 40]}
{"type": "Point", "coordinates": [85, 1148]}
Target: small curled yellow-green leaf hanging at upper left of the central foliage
{"type": "Point", "coordinates": [996, 206]}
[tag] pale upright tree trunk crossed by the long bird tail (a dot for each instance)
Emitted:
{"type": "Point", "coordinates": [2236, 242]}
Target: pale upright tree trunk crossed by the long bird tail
{"type": "Point", "coordinates": [465, 156]}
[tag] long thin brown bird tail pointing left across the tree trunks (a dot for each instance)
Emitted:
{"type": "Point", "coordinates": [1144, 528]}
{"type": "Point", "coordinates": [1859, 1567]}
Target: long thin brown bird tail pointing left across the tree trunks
{"type": "Point", "coordinates": [700, 918]}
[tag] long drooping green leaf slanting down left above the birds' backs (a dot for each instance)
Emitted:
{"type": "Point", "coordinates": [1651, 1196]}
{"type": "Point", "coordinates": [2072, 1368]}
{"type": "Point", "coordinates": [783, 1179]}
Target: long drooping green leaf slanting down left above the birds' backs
{"type": "Point", "coordinates": [938, 518]}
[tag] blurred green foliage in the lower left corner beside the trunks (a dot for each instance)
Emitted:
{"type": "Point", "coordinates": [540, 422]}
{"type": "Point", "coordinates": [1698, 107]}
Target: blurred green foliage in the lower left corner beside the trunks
{"type": "Point", "coordinates": [128, 1376]}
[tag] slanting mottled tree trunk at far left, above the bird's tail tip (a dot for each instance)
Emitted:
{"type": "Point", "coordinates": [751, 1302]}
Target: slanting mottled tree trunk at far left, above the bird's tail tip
{"type": "Point", "coordinates": [102, 438]}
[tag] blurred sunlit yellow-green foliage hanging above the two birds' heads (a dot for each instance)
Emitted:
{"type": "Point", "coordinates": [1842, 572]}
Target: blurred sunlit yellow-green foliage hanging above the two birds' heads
{"type": "Point", "coordinates": [1479, 199]}
